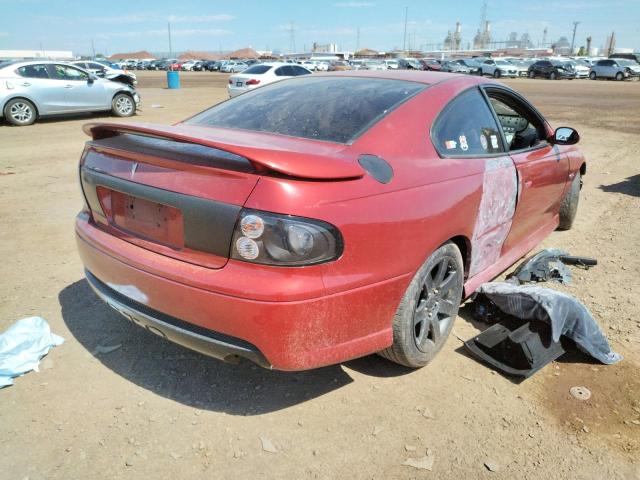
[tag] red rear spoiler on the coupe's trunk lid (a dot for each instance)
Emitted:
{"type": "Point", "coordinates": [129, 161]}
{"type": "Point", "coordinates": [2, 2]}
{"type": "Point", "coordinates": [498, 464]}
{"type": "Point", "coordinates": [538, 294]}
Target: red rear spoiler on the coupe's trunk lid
{"type": "Point", "coordinates": [293, 157]}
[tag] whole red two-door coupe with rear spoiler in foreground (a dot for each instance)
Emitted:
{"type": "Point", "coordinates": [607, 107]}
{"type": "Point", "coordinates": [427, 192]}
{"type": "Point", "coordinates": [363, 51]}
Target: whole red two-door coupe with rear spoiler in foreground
{"type": "Point", "coordinates": [322, 218]}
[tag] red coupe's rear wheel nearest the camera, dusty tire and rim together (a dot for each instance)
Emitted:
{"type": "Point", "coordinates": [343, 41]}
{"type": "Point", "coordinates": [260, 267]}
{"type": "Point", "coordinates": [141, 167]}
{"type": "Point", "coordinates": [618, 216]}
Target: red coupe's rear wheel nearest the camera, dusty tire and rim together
{"type": "Point", "coordinates": [429, 307]}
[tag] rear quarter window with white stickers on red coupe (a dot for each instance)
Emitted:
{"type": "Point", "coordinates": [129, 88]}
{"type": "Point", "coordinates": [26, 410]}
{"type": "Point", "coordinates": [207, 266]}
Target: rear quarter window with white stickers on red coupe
{"type": "Point", "coordinates": [467, 127]}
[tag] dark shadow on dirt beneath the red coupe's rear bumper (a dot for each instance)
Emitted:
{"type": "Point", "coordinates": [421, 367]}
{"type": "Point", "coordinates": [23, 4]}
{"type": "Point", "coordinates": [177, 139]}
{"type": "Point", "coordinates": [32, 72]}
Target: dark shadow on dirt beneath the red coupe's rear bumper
{"type": "Point", "coordinates": [188, 377]}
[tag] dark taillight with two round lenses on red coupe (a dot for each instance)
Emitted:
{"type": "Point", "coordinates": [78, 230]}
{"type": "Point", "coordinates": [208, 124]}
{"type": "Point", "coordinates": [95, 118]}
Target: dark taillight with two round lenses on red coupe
{"type": "Point", "coordinates": [284, 240]}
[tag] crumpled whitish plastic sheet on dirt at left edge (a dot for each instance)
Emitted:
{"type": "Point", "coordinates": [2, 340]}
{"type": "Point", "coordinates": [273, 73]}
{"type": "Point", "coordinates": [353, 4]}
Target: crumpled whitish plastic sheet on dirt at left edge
{"type": "Point", "coordinates": [23, 345]}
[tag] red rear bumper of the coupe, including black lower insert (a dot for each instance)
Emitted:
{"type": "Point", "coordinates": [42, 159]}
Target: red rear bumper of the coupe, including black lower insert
{"type": "Point", "coordinates": [289, 330]}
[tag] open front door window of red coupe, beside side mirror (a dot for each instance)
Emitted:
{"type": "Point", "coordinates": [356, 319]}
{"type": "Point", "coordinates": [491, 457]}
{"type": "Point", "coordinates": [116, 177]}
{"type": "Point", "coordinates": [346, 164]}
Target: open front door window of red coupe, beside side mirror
{"type": "Point", "coordinates": [521, 126]}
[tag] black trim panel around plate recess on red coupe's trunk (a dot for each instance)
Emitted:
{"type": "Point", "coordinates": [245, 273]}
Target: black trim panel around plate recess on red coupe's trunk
{"type": "Point", "coordinates": [208, 225]}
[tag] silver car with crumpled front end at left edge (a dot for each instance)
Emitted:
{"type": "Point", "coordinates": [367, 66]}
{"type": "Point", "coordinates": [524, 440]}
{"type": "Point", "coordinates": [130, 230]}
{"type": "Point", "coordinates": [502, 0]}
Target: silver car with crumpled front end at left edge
{"type": "Point", "coordinates": [33, 89]}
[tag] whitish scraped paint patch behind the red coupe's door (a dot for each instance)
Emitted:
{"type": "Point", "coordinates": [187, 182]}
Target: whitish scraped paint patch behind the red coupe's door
{"type": "Point", "coordinates": [495, 213]}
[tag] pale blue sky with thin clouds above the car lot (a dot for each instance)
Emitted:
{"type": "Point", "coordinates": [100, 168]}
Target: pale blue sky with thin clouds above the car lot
{"type": "Point", "coordinates": [209, 25]}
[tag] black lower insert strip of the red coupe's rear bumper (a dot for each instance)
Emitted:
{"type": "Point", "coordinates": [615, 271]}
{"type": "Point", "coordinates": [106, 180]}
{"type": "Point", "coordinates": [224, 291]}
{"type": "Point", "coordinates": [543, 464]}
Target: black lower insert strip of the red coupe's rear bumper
{"type": "Point", "coordinates": [194, 337]}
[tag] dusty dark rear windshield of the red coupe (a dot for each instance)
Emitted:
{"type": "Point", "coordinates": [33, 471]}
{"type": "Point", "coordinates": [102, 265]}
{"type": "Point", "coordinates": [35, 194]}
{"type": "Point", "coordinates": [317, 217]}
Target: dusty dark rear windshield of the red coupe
{"type": "Point", "coordinates": [329, 108]}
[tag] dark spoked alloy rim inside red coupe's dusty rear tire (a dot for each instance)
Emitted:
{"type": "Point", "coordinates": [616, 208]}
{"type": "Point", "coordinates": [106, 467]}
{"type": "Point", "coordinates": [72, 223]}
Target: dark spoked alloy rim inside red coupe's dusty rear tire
{"type": "Point", "coordinates": [435, 306]}
